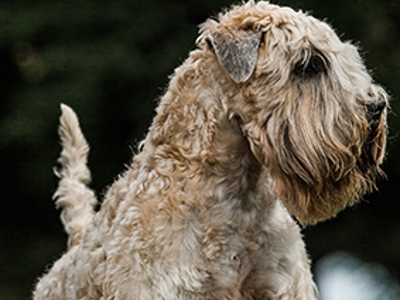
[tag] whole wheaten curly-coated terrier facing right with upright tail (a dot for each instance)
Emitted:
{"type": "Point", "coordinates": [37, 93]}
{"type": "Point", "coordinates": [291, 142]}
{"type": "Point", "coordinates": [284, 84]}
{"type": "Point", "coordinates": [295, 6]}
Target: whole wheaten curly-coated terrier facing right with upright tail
{"type": "Point", "coordinates": [271, 117]}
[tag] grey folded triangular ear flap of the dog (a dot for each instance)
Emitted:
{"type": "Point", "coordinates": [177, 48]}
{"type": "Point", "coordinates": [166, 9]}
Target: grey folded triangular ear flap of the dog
{"type": "Point", "coordinates": [236, 51]}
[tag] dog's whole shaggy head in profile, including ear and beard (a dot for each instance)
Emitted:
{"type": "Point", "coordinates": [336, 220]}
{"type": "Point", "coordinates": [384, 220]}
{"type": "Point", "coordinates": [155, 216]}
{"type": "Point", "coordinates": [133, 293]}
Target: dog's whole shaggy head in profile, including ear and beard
{"type": "Point", "coordinates": [306, 103]}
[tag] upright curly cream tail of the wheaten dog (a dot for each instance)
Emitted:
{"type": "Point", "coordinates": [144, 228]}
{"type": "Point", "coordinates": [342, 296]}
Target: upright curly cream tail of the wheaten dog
{"type": "Point", "coordinates": [73, 196]}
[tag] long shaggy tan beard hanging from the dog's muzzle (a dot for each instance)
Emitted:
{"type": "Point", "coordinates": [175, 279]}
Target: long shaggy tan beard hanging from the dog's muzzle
{"type": "Point", "coordinates": [321, 158]}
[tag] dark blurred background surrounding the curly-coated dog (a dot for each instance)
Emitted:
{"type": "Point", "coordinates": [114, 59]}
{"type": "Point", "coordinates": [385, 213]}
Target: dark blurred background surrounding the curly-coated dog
{"type": "Point", "coordinates": [110, 61]}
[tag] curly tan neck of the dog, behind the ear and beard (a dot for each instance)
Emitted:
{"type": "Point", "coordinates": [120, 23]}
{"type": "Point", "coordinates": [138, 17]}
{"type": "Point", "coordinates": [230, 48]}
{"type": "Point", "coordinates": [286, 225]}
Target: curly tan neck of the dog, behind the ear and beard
{"type": "Point", "coordinates": [197, 135]}
